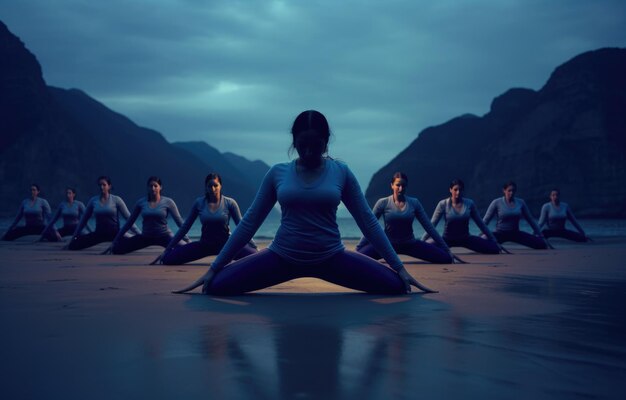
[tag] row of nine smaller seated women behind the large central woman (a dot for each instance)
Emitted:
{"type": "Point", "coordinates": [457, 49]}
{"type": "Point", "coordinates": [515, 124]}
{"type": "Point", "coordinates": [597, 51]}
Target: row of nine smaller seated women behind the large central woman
{"type": "Point", "coordinates": [215, 211]}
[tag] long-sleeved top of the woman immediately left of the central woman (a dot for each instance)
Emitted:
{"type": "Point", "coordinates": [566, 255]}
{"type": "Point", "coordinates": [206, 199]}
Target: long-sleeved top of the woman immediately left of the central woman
{"type": "Point", "coordinates": [215, 224]}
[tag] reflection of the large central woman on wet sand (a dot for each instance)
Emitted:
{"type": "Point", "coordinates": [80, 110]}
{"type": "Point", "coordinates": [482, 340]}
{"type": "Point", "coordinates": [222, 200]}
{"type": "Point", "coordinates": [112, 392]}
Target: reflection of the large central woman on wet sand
{"type": "Point", "coordinates": [332, 346]}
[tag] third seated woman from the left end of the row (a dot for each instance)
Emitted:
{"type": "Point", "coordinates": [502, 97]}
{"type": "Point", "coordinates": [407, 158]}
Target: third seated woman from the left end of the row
{"type": "Point", "coordinates": [107, 208]}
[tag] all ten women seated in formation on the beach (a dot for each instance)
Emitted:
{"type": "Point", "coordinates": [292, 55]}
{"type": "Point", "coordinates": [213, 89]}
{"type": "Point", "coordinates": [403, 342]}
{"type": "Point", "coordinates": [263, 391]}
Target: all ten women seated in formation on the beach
{"type": "Point", "coordinates": [307, 242]}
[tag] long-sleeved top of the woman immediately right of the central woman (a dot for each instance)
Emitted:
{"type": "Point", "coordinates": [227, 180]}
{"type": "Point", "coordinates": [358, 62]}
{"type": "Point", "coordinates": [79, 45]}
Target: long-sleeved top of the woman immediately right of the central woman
{"type": "Point", "coordinates": [399, 222]}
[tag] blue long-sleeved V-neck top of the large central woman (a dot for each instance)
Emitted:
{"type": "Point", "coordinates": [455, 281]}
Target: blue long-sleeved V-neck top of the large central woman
{"type": "Point", "coordinates": [308, 232]}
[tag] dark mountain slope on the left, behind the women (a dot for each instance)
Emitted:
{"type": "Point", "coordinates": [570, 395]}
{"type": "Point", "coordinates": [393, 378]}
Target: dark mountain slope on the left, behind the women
{"type": "Point", "coordinates": [58, 138]}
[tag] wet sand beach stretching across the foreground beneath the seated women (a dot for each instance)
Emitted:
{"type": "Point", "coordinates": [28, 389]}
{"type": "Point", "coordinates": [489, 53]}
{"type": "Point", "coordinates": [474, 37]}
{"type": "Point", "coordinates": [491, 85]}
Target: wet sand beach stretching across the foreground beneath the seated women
{"type": "Point", "coordinates": [536, 324]}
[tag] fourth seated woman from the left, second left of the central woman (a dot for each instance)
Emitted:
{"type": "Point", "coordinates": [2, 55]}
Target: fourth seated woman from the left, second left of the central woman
{"type": "Point", "coordinates": [154, 210]}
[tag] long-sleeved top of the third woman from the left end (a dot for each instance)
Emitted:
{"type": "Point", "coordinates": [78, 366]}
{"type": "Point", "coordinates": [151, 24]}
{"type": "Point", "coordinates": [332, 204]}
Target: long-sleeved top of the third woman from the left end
{"type": "Point", "coordinates": [107, 214]}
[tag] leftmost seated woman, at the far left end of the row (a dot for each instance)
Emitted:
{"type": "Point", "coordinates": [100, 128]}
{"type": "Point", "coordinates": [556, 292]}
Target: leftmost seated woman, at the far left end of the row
{"type": "Point", "coordinates": [36, 213]}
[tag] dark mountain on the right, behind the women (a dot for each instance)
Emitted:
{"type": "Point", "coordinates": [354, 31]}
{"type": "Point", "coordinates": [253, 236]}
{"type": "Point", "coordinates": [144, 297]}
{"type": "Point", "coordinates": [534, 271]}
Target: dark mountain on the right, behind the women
{"type": "Point", "coordinates": [571, 134]}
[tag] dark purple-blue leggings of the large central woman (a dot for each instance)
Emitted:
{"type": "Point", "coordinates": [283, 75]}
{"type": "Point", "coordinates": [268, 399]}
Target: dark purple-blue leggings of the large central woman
{"type": "Point", "coordinates": [266, 268]}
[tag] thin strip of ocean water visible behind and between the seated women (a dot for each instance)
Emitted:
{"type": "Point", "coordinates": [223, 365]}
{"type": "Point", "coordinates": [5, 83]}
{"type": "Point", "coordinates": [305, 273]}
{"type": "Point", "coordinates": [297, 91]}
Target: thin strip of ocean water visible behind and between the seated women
{"type": "Point", "coordinates": [595, 228]}
